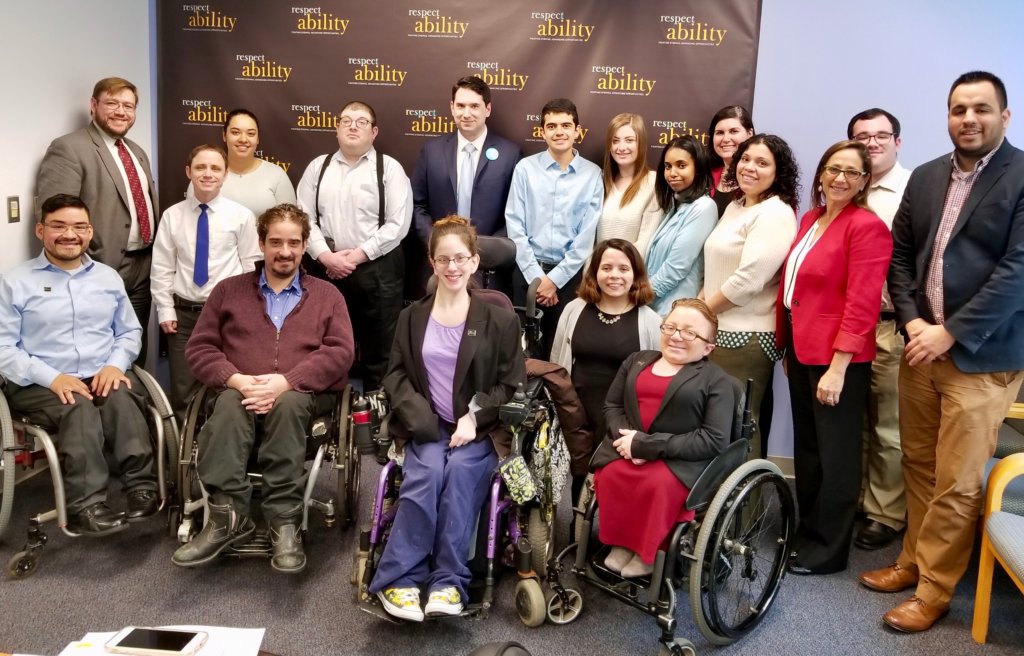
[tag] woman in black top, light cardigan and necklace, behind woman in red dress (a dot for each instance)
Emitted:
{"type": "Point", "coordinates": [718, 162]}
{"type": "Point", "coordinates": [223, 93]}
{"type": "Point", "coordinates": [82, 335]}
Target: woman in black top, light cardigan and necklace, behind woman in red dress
{"type": "Point", "coordinates": [608, 322]}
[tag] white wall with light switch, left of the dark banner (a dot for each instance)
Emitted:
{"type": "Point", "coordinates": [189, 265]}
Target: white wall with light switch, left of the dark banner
{"type": "Point", "coordinates": [54, 52]}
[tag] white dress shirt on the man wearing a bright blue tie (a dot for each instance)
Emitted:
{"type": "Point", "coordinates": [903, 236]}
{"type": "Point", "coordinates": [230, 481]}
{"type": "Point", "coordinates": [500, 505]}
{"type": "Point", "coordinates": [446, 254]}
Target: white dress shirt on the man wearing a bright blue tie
{"type": "Point", "coordinates": [234, 250]}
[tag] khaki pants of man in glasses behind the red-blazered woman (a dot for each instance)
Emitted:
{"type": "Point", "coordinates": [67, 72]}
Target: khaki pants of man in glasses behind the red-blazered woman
{"type": "Point", "coordinates": [883, 499]}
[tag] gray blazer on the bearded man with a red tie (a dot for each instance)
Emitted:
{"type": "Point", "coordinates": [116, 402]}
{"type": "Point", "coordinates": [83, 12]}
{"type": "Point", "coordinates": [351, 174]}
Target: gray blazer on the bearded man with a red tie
{"type": "Point", "coordinates": [81, 164]}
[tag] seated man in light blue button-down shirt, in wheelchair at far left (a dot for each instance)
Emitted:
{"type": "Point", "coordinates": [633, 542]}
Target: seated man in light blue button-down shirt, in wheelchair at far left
{"type": "Point", "coordinates": [68, 338]}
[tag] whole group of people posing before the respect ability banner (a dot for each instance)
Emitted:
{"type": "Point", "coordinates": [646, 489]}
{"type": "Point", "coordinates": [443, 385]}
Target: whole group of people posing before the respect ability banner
{"type": "Point", "coordinates": [659, 289]}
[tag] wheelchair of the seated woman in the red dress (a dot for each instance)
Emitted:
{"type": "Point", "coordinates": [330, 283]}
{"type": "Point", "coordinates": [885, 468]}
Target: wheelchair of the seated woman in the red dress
{"type": "Point", "coordinates": [732, 556]}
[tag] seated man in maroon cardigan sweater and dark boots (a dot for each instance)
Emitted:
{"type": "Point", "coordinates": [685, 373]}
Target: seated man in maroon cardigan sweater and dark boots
{"type": "Point", "coordinates": [274, 343]}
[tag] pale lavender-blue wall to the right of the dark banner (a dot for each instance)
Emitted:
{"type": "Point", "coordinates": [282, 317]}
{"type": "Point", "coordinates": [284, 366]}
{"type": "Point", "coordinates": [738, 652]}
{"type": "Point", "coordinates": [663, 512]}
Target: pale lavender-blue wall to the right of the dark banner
{"type": "Point", "coordinates": [822, 63]}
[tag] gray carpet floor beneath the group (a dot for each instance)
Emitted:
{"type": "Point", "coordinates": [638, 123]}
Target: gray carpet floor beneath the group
{"type": "Point", "coordinates": [104, 585]}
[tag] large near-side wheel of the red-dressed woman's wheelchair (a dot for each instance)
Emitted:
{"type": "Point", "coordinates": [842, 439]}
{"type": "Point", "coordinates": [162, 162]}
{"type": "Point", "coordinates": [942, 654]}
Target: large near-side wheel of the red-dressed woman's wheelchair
{"type": "Point", "coordinates": [741, 552]}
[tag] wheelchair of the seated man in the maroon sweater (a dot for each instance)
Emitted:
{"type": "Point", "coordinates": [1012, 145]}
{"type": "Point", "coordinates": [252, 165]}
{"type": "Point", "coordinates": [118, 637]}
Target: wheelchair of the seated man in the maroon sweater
{"type": "Point", "coordinates": [335, 440]}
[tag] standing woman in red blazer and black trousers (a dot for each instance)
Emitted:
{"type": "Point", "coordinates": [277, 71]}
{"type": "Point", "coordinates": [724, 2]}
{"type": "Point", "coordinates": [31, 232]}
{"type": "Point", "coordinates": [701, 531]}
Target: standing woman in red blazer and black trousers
{"type": "Point", "coordinates": [828, 310]}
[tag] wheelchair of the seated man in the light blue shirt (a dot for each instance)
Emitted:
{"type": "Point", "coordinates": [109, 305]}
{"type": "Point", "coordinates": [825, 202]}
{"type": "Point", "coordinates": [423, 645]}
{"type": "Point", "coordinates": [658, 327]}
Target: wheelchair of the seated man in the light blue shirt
{"type": "Point", "coordinates": [29, 450]}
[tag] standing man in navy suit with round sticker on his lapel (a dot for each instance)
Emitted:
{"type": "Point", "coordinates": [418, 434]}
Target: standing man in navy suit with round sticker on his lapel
{"type": "Point", "coordinates": [440, 188]}
